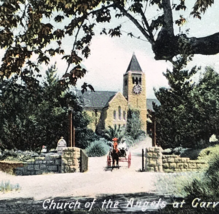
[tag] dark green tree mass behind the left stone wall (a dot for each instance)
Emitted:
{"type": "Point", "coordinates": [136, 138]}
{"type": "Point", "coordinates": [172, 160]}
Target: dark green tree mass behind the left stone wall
{"type": "Point", "coordinates": [37, 114]}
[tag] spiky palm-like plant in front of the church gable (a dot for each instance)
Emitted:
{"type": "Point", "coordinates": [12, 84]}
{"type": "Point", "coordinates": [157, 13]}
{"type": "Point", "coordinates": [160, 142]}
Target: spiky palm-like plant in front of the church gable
{"type": "Point", "coordinates": [111, 133]}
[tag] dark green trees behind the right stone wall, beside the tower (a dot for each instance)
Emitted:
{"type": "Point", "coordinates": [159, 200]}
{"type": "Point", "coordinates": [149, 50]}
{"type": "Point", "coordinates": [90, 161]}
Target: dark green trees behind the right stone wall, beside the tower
{"type": "Point", "coordinates": [188, 114]}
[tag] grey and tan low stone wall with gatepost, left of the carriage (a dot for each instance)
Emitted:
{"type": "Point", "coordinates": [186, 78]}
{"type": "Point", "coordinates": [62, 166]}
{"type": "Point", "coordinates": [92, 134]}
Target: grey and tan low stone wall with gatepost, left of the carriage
{"type": "Point", "coordinates": [72, 160]}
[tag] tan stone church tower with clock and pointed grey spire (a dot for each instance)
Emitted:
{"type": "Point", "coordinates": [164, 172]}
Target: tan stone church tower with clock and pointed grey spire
{"type": "Point", "coordinates": [134, 89]}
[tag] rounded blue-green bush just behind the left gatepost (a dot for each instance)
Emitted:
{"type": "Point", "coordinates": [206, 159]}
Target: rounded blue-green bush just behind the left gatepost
{"type": "Point", "coordinates": [97, 149]}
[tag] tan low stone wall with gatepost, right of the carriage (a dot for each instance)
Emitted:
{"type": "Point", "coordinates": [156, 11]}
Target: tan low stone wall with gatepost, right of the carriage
{"type": "Point", "coordinates": [155, 161]}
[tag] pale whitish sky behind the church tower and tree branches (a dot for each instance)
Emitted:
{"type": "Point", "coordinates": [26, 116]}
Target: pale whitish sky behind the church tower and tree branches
{"type": "Point", "coordinates": [110, 57]}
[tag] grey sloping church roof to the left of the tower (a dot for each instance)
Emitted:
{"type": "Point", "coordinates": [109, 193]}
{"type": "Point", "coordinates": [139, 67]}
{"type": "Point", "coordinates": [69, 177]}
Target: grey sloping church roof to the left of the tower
{"type": "Point", "coordinates": [97, 99]}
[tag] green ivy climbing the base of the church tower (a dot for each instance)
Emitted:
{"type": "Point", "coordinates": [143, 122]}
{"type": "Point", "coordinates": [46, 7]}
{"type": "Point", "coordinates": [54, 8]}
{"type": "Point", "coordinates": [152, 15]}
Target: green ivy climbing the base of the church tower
{"type": "Point", "coordinates": [134, 124]}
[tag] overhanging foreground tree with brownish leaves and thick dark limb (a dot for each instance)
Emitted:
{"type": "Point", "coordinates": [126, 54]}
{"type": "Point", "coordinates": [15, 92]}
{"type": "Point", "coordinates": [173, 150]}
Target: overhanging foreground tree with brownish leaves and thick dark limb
{"type": "Point", "coordinates": [32, 27]}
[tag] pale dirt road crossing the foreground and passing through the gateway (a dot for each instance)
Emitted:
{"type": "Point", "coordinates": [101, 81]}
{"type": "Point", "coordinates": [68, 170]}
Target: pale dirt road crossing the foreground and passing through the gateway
{"type": "Point", "coordinates": [94, 182]}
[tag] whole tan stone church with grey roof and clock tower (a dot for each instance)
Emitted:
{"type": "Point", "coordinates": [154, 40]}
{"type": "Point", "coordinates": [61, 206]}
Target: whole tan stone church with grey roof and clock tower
{"type": "Point", "coordinates": [109, 108]}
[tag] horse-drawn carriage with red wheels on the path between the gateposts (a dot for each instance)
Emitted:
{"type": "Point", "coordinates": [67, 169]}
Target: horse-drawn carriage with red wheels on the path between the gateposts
{"type": "Point", "coordinates": [118, 155]}
